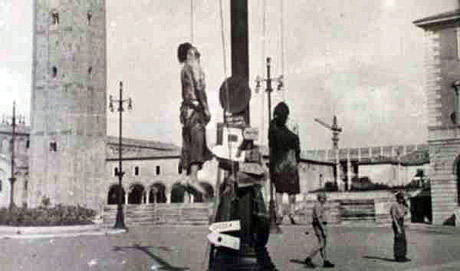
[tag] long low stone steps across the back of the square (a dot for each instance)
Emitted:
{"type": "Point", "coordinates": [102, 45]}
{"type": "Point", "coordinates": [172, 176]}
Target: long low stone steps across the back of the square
{"type": "Point", "coordinates": [347, 211]}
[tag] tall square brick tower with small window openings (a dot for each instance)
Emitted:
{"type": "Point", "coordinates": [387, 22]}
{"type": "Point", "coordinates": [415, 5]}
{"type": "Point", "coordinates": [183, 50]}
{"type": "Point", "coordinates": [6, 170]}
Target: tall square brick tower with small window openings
{"type": "Point", "coordinates": [68, 112]}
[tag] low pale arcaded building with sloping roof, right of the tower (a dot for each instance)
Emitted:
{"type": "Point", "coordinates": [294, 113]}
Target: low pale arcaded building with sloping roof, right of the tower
{"type": "Point", "coordinates": [152, 173]}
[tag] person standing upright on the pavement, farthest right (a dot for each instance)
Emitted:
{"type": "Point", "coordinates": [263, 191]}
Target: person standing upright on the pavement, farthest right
{"type": "Point", "coordinates": [397, 211]}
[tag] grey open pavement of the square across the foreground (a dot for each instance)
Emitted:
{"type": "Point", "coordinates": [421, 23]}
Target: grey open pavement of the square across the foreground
{"type": "Point", "coordinates": [183, 248]}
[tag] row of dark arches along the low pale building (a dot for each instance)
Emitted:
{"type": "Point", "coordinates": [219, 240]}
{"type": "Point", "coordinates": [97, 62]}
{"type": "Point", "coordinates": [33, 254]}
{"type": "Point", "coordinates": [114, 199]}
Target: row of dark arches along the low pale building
{"type": "Point", "coordinates": [157, 193]}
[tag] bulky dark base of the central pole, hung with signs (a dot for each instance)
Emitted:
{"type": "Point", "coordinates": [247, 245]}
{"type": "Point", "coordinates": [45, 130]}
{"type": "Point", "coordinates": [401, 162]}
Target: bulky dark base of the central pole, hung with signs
{"type": "Point", "coordinates": [241, 198]}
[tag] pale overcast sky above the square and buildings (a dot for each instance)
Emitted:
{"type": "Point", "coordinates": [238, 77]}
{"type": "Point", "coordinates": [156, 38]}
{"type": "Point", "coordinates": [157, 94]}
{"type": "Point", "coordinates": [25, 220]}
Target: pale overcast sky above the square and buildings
{"type": "Point", "coordinates": [359, 60]}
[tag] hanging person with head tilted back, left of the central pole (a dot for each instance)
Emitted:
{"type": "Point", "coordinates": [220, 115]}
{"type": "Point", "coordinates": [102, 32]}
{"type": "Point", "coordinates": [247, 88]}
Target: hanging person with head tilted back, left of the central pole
{"type": "Point", "coordinates": [194, 115]}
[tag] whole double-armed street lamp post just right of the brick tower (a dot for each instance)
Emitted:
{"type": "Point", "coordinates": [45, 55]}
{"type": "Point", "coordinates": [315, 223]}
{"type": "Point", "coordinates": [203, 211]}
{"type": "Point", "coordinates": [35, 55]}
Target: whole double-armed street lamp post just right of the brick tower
{"type": "Point", "coordinates": [120, 221]}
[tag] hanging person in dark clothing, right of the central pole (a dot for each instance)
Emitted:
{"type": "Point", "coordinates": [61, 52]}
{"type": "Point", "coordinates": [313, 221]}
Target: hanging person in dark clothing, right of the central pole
{"type": "Point", "coordinates": [284, 158]}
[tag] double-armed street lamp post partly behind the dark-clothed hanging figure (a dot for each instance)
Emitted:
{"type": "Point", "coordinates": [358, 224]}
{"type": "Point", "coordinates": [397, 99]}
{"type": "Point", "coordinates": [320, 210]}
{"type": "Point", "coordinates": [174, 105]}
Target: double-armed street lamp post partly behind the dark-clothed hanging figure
{"type": "Point", "coordinates": [274, 228]}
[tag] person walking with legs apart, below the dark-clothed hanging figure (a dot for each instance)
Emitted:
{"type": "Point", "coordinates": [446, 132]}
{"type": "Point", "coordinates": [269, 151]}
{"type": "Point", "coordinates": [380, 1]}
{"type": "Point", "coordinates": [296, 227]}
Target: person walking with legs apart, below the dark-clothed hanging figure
{"type": "Point", "coordinates": [319, 225]}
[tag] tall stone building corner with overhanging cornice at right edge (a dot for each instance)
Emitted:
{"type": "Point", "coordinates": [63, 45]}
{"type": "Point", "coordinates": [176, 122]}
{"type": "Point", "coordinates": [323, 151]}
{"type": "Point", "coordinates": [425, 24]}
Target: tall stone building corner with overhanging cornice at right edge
{"type": "Point", "coordinates": [442, 69]}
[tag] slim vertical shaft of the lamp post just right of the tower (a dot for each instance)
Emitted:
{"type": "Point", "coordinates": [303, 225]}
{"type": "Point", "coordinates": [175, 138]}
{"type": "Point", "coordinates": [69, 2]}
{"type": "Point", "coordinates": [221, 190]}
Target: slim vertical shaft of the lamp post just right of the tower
{"type": "Point", "coordinates": [120, 221]}
